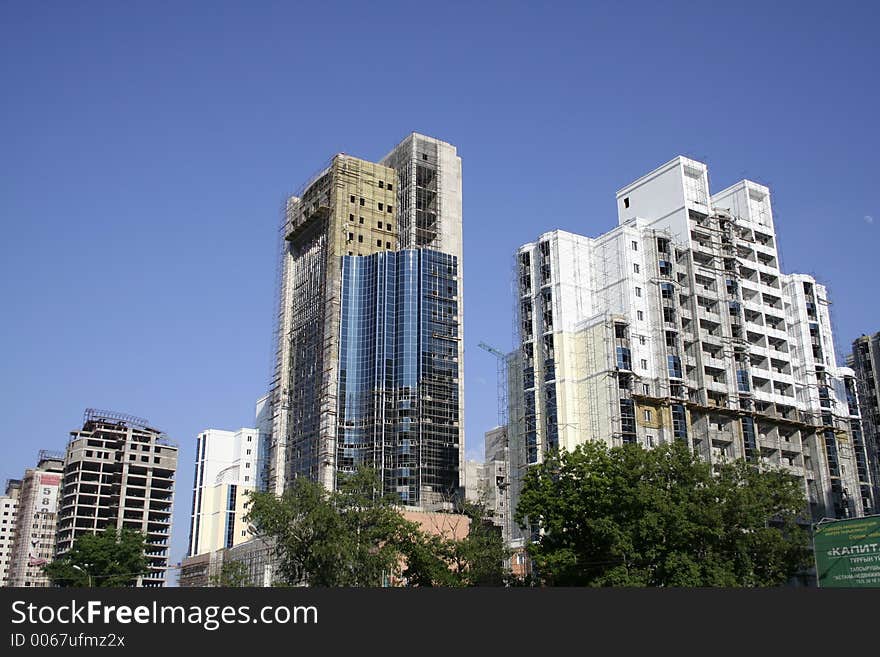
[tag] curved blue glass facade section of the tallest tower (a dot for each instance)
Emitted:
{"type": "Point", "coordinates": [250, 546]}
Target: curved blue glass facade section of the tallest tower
{"type": "Point", "coordinates": [398, 403]}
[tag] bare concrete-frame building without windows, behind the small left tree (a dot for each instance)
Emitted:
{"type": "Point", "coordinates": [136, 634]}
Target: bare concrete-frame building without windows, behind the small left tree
{"type": "Point", "coordinates": [119, 472]}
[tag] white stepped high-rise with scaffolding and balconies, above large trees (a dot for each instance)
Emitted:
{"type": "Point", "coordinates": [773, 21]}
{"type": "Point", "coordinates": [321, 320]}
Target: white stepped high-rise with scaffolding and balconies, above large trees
{"type": "Point", "coordinates": [678, 324]}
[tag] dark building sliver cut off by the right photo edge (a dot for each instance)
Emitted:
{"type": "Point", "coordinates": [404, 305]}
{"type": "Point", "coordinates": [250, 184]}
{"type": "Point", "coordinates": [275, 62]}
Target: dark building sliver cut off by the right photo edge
{"type": "Point", "coordinates": [865, 361]}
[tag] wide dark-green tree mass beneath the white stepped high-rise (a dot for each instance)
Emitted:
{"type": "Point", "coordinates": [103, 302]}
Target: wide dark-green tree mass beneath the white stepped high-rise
{"type": "Point", "coordinates": [627, 516]}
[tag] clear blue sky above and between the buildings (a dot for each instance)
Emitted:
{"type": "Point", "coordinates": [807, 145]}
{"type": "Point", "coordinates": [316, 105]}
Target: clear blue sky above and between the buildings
{"type": "Point", "coordinates": [146, 148]}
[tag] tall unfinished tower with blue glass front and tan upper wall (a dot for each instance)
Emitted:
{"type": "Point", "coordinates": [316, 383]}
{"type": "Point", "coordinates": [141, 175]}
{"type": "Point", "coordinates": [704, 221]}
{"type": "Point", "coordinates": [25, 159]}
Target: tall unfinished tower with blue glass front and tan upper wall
{"type": "Point", "coordinates": [342, 236]}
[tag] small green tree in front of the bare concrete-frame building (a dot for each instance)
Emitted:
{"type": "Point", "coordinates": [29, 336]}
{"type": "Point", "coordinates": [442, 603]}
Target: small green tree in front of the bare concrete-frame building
{"type": "Point", "coordinates": [108, 559]}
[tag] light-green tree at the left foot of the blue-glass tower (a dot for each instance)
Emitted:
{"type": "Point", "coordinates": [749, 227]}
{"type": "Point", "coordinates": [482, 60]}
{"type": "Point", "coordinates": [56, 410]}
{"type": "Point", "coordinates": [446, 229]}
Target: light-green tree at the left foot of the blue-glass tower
{"type": "Point", "coordinates": [350, 537]}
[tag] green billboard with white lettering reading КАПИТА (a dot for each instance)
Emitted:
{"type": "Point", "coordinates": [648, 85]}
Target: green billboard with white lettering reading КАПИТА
{"type": "Point", "coordinates": [848, 552]}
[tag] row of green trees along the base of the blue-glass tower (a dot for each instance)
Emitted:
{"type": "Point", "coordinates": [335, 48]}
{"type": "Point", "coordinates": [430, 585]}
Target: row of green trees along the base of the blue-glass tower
{"type": "Point", "coordinates": [356, 536]}
